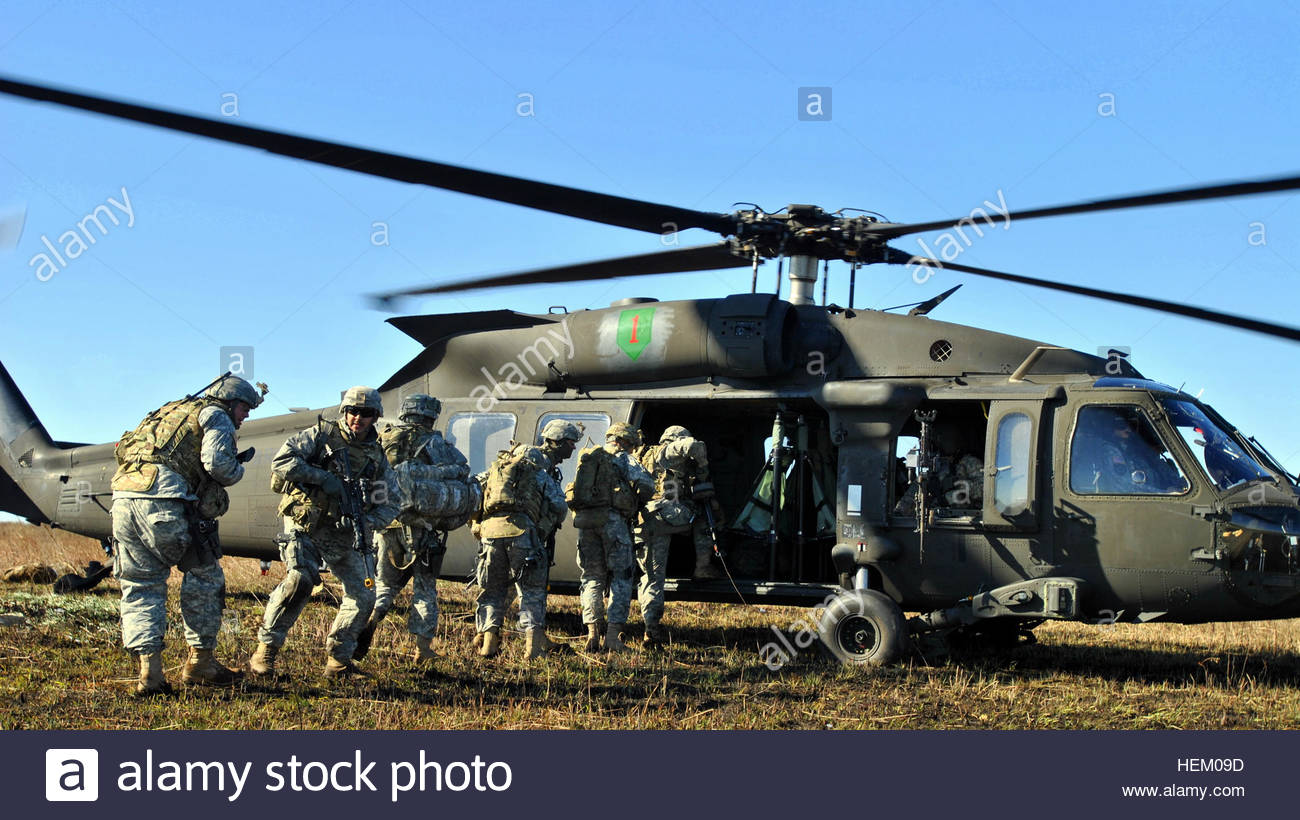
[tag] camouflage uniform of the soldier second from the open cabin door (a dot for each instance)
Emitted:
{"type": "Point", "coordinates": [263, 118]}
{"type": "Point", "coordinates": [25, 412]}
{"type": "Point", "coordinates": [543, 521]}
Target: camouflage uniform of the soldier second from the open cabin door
{"type": "Point", "coordinates": [605, 552]}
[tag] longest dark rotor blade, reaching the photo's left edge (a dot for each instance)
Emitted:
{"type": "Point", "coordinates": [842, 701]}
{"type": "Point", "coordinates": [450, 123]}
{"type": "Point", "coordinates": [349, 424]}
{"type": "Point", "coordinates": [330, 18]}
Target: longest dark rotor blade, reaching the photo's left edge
{"type": "Point", "coordinates": [619, 211]}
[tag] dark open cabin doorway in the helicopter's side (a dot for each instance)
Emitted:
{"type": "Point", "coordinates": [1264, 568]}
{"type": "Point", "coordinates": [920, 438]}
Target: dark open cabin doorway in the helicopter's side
{"type": "Point", "coordinates": [774, 470]}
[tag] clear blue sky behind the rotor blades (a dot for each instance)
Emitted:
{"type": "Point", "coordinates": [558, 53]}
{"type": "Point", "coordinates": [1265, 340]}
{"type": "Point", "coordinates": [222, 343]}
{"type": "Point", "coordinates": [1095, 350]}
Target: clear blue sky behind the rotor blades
{"type": "Point", "coordinates": [934, 110]}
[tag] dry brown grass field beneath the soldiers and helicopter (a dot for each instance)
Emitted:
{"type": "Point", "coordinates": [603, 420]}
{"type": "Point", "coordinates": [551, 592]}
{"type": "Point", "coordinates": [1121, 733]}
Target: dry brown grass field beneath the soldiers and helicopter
{"type": "Point", "coordinates": [62, 667]}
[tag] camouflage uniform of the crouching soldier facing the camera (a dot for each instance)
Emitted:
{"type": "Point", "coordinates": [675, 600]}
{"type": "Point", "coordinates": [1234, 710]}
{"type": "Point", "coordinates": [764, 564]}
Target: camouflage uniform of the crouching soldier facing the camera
{"type": "Point", "coordinates": [317, 536]}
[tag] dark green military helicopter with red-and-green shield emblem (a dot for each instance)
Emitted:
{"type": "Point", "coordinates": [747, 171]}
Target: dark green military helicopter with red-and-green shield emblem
{"type": "Point", "coordinates": [985, 481]}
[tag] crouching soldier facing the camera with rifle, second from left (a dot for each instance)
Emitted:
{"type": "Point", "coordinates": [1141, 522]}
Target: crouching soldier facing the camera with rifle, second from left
{"type": "Point", "coordinates": [313, 471]}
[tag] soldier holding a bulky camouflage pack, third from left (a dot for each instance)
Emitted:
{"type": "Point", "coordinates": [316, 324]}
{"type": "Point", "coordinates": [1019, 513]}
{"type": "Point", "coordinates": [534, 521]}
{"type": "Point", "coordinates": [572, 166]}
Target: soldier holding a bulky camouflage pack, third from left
{"type": "Point", "coordinates": [413, 548]}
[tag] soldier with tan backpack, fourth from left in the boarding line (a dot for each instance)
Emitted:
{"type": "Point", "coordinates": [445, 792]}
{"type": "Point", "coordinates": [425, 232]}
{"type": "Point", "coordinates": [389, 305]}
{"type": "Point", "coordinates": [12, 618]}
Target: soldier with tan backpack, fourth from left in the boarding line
{"type": "Point", "coordinates": [523, 507]}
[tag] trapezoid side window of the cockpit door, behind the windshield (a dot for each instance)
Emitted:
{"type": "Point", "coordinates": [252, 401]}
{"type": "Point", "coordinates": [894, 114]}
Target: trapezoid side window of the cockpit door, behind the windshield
{"type": "Point", "coordinates": [1117, 452]}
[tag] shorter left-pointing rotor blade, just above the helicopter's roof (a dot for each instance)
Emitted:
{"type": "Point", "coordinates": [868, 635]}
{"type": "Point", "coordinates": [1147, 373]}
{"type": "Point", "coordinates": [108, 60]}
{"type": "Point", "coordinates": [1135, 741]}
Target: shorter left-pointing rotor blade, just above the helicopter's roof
{"type": "Point", "coordinates": [682, 261]}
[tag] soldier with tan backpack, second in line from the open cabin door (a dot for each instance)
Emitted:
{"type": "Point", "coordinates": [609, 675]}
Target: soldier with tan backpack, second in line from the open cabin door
{"type": "Point", "coordinates": [608, 492]}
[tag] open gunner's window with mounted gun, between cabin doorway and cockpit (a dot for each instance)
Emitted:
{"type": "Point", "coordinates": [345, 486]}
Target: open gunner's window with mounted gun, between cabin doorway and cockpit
{"type": "Point", "coordinates": [939, 463]}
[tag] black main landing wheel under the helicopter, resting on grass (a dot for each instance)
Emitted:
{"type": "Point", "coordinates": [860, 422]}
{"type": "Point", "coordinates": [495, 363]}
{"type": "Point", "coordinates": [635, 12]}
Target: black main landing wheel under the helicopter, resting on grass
{"type": "Point", "coordinates": [864, 627]}
